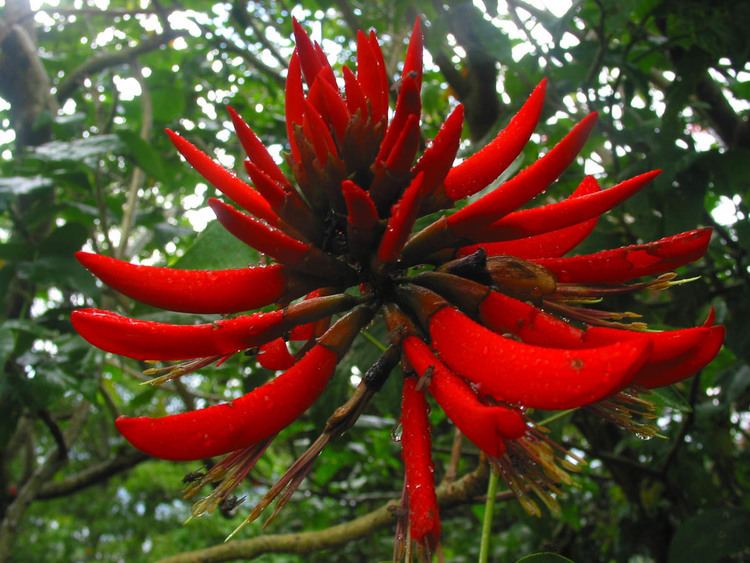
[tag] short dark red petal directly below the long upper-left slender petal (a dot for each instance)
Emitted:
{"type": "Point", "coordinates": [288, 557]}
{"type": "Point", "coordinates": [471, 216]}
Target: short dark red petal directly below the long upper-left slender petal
{"type": "Point", "coordinates": [259, 235]}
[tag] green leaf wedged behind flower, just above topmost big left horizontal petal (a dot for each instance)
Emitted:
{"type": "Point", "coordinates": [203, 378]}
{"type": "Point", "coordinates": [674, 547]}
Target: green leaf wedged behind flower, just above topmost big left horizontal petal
{"type": "Point", "coordinates": [215, 248]}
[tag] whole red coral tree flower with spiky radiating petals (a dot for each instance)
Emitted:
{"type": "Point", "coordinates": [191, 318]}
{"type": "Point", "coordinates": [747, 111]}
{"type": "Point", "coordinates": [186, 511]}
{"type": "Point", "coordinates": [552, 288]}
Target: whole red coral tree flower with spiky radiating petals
{"type": "Point", "coordinates": [484, 311]}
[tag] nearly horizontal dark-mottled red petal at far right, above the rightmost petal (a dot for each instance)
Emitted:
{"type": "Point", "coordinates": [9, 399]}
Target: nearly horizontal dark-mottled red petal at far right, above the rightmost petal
{"type": "Point", "coordinates": [629, 262]}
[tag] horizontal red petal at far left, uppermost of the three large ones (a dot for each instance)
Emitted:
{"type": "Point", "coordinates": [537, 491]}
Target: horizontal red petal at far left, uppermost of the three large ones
{"type": "Point", "coordinates": [191, 291]}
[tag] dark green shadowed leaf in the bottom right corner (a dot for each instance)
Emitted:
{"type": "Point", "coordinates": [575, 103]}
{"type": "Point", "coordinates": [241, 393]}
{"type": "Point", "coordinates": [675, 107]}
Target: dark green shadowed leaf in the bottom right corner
{"type": "Point", "coordinates": [711, 536]}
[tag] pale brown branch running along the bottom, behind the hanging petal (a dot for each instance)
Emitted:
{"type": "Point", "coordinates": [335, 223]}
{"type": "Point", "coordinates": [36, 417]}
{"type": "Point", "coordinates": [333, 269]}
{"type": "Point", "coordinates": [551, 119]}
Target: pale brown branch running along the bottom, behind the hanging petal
{"type": "Point", "coordinates": [449, 494]}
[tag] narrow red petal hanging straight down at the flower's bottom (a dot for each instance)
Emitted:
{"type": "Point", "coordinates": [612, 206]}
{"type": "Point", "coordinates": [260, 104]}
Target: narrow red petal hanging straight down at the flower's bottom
{"type": "Point", "coordinates": [424, 517]}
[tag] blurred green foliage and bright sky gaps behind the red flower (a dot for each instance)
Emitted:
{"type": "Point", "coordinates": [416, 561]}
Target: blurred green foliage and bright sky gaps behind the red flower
{"type": "Point", "coordinates": [86, 88]}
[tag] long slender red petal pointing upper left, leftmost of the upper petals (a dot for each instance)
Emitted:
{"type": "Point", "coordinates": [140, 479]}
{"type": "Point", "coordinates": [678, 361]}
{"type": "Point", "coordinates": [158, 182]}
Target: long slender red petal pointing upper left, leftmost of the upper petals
{"type": "Point", "coordinates": [223, 180]}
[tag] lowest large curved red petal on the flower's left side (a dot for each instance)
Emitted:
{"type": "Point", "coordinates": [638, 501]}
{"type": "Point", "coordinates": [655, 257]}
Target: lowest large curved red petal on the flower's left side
{"type": "Point", "coordinates": [226, 427]}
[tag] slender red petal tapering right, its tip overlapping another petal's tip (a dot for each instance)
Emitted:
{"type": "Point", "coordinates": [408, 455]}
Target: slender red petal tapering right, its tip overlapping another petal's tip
{"type": "Point", "coordinates": [546, 218]}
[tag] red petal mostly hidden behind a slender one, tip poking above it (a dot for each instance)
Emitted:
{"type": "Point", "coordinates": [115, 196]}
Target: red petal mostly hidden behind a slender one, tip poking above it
{"type": "Point", "coordinates": [548, 245]}
